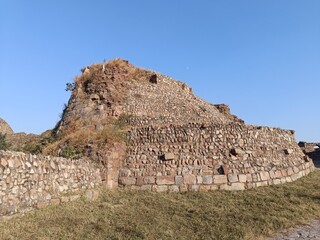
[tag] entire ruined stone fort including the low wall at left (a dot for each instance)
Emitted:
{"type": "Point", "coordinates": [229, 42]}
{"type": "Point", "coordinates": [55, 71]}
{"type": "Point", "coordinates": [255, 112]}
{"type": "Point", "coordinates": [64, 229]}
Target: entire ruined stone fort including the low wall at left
{"type": "Point", "coordinates": [133, 128]}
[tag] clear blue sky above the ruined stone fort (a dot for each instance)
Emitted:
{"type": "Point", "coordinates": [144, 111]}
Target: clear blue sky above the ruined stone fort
{"type": "Point", "coordinates": [260, 57]}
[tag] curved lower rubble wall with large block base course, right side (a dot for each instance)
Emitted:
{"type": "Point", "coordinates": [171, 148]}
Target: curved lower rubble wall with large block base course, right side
{"type": "Point", "coordinates": [198, 157]}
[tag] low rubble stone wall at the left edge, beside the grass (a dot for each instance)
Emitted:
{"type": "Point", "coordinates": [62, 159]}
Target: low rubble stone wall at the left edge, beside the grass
{"type": "Point", "coordinates": [33, 181]}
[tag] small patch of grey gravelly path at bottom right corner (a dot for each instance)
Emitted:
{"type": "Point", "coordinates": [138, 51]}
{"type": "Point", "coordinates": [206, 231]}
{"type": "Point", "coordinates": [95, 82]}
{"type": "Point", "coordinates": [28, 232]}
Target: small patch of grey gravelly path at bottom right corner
{"type": "Point", "coordinates": [310, 231]}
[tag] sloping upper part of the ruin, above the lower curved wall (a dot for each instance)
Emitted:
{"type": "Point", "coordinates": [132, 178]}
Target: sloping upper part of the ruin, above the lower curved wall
{"type": "Point", "coordinates": [142, 97]}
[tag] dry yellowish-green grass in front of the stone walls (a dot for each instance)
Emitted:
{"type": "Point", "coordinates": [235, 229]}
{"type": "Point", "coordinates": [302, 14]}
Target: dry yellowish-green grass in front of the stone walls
{"type": "Point", "coordinates": [121, 214]}
